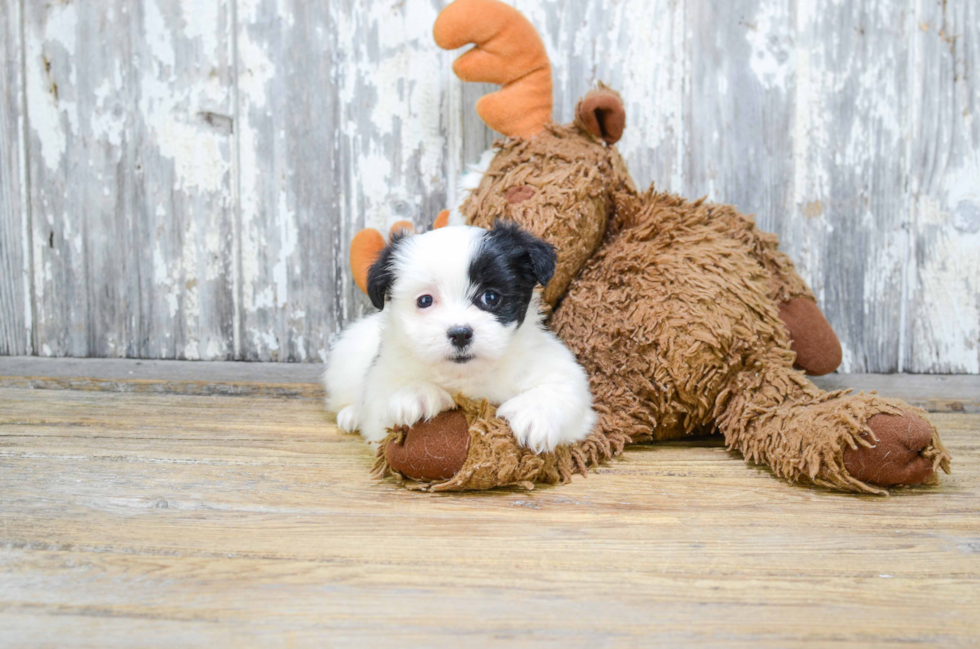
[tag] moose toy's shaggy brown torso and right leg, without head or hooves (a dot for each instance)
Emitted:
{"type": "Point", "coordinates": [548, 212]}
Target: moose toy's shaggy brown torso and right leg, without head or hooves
{"type": "Point", "coordinates": [676, 320]}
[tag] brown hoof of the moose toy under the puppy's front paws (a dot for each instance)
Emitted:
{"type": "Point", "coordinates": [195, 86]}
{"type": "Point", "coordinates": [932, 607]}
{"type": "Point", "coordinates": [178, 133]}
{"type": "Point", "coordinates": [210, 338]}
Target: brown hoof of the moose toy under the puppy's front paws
{"type": "Point", "coordinates": [432, 450]}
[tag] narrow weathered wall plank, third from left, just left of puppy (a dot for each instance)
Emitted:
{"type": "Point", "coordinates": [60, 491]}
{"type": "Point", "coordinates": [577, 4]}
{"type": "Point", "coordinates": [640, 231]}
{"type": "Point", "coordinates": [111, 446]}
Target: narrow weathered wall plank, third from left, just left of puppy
{"type": "Point", "coordinates": [292, 234]}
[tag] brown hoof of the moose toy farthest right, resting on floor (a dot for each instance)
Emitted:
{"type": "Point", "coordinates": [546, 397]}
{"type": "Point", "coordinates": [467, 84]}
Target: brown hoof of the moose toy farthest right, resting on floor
{"type": "Point", "coordinates": [897, 457]}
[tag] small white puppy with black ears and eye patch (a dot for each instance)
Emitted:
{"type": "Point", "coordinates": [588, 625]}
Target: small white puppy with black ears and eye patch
{"type": "Point", "coordinates": [458, 313]}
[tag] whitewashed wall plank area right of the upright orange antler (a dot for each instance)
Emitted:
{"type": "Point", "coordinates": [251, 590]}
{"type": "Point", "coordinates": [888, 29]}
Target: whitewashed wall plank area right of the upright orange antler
{"type": "Point", "coordinates": [640, 48]}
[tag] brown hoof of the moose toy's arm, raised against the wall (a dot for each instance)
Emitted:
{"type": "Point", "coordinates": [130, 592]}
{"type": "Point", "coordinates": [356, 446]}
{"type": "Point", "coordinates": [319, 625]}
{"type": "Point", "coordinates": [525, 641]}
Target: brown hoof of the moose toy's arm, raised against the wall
{"type": "Point", "coordinates": [818, 351]}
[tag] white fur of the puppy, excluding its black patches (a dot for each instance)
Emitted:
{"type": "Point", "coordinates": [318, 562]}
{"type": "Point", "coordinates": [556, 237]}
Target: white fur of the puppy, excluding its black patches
{"type": "Point", "coordinates": [395, 367]}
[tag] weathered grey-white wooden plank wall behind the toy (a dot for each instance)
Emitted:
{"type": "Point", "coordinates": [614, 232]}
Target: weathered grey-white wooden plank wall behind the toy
{"type": "Point", "coordinates": [180, 178]}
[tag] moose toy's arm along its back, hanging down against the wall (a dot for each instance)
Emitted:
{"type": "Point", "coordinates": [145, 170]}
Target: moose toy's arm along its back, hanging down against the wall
{"type": "Point", "coordinates": [817, 349]}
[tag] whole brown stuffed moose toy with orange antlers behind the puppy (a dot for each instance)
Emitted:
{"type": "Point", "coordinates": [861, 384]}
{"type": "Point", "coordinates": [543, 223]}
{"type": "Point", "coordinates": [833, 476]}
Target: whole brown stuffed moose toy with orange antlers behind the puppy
{"type": "Point", "coordinates": [687, 319]}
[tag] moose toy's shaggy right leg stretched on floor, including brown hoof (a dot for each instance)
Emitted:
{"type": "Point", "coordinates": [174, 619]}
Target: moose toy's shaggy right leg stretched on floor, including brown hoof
{"type": "Point", "coordinates": [859, 443]}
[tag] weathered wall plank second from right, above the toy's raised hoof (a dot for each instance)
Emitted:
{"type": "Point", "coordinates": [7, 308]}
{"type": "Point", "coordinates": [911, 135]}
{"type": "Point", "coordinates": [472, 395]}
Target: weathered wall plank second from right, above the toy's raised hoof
{"type": "Point", "coordinates": [852, 100]}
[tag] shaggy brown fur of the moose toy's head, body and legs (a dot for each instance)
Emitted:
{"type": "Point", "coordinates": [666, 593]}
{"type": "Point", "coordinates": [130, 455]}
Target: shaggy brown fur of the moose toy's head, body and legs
{"type": "Point", "coordinates": [673, 308]}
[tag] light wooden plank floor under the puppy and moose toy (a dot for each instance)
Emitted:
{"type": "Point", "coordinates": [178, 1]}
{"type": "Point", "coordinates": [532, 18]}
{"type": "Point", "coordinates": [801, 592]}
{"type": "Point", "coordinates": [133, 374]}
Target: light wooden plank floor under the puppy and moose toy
{"type": "Point", "coordinates": [158, 518]}
